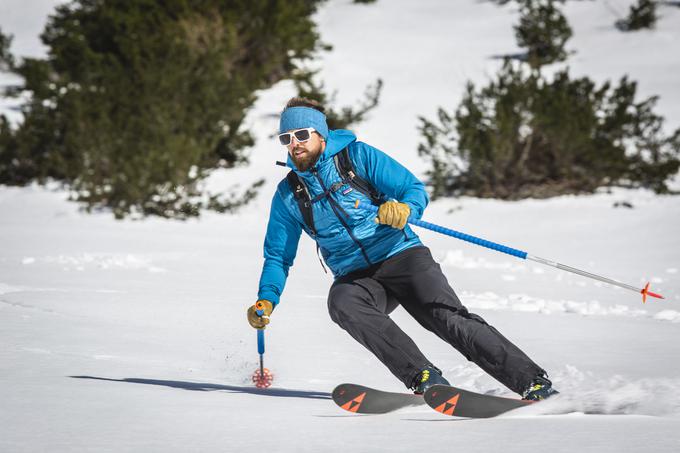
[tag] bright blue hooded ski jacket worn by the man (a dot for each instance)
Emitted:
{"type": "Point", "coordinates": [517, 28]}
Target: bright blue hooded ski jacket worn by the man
{"type": "Point", "coordinates": [349, 239]}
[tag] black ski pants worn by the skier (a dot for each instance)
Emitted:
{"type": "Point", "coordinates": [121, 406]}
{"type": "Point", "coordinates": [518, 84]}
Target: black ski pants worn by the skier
{"type": "Point", "coordinates": [361, 302]}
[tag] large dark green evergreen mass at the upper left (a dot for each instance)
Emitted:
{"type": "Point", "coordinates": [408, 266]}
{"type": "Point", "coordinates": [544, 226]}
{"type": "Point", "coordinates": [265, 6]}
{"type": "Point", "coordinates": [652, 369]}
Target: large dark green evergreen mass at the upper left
{"type": "Point", "coordinates": [138, 101]}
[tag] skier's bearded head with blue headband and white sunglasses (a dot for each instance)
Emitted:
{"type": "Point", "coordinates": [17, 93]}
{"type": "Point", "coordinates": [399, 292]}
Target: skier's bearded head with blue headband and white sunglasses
{"type": "Point", "coordinates": [304, 131]}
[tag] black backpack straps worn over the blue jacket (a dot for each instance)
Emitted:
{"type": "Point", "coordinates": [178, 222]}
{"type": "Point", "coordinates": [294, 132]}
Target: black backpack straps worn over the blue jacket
{"type": "Point", "coordinates": [346, 171]}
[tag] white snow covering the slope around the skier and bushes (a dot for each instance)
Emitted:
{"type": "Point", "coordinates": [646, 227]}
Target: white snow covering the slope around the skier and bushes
{"type": "Point", "coordinates": [131, 335]}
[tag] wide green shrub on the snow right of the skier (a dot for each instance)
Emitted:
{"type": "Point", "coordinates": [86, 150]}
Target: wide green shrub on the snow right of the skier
{"type": "Point", "coordinates": [524, 136]}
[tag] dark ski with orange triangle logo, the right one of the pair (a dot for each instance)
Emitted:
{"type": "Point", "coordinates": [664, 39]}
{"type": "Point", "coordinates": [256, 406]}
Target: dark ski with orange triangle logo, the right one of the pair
{"type": "Point", "coordinates": [464, 403]}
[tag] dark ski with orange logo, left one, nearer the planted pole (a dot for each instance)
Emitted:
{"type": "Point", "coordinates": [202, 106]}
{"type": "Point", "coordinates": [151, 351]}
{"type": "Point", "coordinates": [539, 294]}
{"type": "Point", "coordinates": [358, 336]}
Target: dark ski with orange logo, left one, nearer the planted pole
{"type": "Point", "coordinates": [365, 400]}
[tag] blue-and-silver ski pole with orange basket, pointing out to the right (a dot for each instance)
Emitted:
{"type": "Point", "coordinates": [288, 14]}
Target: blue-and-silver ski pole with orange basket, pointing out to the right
{"type": "Point", "coordinates": [517, 253]}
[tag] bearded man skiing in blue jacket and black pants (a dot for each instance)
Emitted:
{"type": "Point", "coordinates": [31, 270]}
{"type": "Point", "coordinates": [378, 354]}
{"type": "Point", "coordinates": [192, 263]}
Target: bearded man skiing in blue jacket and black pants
{"type": "Point", "coordinates": [378, 262]}
